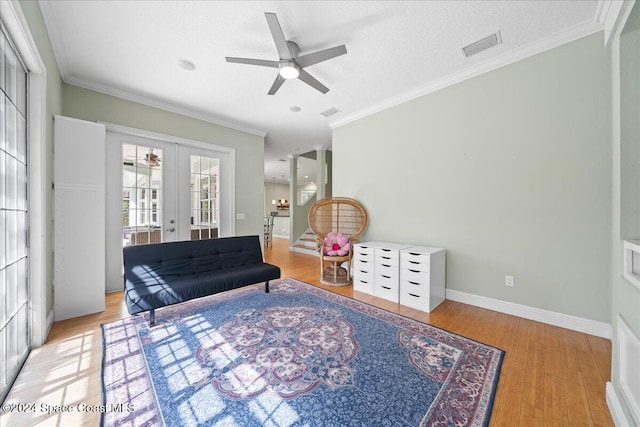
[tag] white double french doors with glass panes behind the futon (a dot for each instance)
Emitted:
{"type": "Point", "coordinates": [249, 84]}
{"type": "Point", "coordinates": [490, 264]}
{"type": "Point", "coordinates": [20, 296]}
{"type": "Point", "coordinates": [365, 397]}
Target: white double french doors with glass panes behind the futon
{"type": "Point", "coordinates": [159, 190]}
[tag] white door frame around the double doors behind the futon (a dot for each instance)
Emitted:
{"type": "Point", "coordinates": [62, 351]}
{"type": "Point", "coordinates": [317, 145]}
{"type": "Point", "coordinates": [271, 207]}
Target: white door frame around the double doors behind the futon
{"type": "Point", "coordinates": [113, 160]}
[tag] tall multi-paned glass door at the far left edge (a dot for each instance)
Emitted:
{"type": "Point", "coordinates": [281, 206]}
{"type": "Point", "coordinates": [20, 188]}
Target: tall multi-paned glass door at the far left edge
{"type": "Point", "coordinates": [14, 295]}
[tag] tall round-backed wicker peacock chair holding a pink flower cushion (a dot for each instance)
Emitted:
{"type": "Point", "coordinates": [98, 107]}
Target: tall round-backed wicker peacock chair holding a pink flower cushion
{"type": "Point", "coordinates": [338, 214]}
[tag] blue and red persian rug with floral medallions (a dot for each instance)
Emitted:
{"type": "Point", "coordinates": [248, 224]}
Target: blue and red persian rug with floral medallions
{"type": "Point", "coordinates": [298, 356]}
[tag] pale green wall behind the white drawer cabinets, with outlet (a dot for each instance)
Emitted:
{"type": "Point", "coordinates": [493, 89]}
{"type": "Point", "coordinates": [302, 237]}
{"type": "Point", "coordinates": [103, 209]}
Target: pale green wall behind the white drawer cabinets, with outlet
{"type": "Point", "coordinates": [509, 171]}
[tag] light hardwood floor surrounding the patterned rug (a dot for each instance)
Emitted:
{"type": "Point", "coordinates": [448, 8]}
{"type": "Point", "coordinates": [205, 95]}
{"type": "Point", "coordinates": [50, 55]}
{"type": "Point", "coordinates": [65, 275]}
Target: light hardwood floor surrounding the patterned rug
{"type": "Point", "coordinates": [550, 376]}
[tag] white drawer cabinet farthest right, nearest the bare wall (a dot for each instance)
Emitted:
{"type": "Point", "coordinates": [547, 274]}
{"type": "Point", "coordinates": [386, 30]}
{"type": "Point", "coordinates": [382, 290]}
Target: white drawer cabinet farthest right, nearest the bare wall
{"type": "Point", "coordinates": [422, 277]}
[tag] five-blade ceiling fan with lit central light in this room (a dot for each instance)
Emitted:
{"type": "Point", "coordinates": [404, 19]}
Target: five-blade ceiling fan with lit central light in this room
{"type": "Point", "coordinates": [291, 65]}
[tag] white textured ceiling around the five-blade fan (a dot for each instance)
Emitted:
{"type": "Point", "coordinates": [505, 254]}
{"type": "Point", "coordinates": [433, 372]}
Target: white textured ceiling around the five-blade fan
{"type": "Point", "coordinates": [397, 50]}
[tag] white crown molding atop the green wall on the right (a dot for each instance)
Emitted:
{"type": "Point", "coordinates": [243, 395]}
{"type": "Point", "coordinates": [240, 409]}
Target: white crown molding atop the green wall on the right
{"type": "Point", "coordinates": [570, 34]}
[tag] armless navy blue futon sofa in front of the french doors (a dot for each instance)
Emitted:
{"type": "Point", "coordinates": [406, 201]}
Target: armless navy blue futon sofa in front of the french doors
{"type": "Point", "coordinates": [162, 274]}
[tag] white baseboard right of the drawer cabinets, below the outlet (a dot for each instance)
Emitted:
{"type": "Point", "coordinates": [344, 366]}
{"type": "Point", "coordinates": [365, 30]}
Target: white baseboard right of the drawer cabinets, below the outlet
{"type": "Point", "coordinates": [587, 326]}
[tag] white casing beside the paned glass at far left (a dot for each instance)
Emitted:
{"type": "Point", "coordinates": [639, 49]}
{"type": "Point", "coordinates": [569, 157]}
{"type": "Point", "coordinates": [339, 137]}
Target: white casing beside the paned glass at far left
{"type": "Point", "coordinates": [16, 24]}
